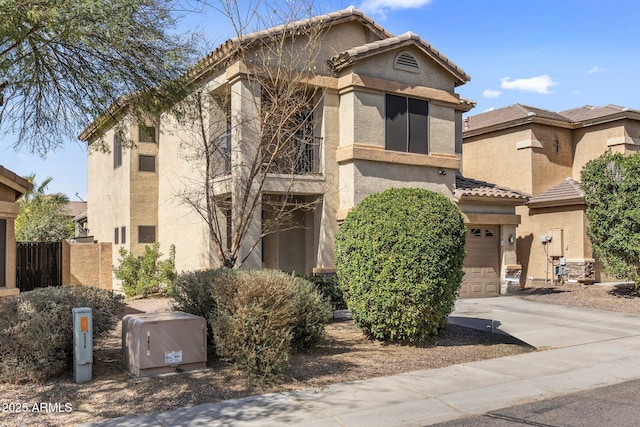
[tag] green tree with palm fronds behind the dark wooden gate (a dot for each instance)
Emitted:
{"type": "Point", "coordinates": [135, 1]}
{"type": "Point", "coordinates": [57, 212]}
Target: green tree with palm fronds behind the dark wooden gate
{"type": "Point", "coordinates": [43, 217]}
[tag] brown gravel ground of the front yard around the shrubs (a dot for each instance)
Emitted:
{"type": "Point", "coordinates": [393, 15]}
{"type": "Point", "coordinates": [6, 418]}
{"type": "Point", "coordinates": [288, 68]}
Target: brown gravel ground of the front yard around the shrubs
{"type": "Point", "coordinates": [343, 355]}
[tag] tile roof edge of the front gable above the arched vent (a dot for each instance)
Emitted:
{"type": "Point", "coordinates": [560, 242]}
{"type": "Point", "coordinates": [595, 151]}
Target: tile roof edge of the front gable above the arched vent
{"type": "Point", "coordinates": [348, 57]}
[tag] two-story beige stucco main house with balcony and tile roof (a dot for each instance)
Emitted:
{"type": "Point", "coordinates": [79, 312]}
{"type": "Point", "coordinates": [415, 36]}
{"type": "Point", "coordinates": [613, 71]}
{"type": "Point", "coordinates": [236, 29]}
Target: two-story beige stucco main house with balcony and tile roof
{"type": "Point", "coordinates": [388, 116]}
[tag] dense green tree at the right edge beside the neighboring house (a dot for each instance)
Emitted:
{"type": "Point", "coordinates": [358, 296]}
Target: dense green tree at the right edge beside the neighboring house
{"type": "Point", "coordinates": [612, 192]}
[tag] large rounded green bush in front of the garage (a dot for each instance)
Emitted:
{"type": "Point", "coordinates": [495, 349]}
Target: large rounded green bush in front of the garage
{"type": "Point", "coordinates": [399, 258]}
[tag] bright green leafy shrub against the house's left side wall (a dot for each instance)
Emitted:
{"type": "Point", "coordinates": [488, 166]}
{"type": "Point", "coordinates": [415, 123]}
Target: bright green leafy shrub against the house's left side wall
{"type": "Point", "coordinates": [145, 275]}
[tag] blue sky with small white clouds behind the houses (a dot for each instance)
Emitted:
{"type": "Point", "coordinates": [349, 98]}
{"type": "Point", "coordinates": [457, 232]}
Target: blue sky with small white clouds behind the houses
{"type": "Point", "coordinates": [549, 54]}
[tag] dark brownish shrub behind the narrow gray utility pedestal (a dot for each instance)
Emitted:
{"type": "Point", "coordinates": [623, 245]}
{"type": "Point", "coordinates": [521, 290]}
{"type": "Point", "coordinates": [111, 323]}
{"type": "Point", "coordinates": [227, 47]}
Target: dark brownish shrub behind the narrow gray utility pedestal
{"type": "Point", "coordinates": [36, 329]}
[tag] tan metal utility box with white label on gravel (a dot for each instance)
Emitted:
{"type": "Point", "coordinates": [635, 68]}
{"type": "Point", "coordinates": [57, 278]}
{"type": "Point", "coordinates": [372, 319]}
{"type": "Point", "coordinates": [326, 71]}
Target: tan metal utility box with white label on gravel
{"type": "Point", "coordinates": [158, 343]}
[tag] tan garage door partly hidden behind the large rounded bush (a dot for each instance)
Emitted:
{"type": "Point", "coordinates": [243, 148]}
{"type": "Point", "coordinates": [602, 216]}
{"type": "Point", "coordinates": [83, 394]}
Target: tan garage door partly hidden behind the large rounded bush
{"type": "Point", "coordinates": [482, 264]}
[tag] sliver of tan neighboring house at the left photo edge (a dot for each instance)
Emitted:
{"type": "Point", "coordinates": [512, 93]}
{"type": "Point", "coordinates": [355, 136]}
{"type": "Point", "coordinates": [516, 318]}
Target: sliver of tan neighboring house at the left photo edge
{"type": "Point", "coordinates": [12, 187]}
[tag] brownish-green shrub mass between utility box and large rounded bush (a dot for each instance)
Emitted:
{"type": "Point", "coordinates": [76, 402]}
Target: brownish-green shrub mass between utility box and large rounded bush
{"type": "Point", "coordinates": [256, 318]}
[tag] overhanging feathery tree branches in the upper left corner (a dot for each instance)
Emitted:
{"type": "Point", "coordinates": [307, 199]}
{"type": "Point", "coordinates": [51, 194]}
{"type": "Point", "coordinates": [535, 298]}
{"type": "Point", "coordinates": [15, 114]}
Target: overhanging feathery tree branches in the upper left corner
{"type": "Point", "coordinates": [65, 62]}
